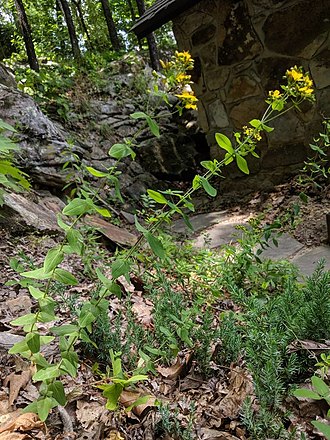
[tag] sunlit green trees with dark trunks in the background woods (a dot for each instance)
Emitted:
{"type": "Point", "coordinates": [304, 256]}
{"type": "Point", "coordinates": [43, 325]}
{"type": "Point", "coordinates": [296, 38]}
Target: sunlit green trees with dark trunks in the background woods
{"type": "Point", "coordinates": [60, 29]}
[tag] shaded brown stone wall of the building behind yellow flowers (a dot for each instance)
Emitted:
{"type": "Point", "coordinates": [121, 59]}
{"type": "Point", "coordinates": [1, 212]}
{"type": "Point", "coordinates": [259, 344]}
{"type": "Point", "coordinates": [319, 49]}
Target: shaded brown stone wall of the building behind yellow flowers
{"type": "Point", "coordinates": [242, 50]}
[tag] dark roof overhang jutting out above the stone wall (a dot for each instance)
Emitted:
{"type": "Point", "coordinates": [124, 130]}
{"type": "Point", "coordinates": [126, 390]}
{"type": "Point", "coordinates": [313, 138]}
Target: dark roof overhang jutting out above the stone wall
{"type": "Point", "coordinates": [160, 13]}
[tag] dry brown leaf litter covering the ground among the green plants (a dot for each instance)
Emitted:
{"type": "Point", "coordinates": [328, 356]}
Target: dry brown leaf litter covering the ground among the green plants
{"type": "Point", "coordinates": [217, 401]}
